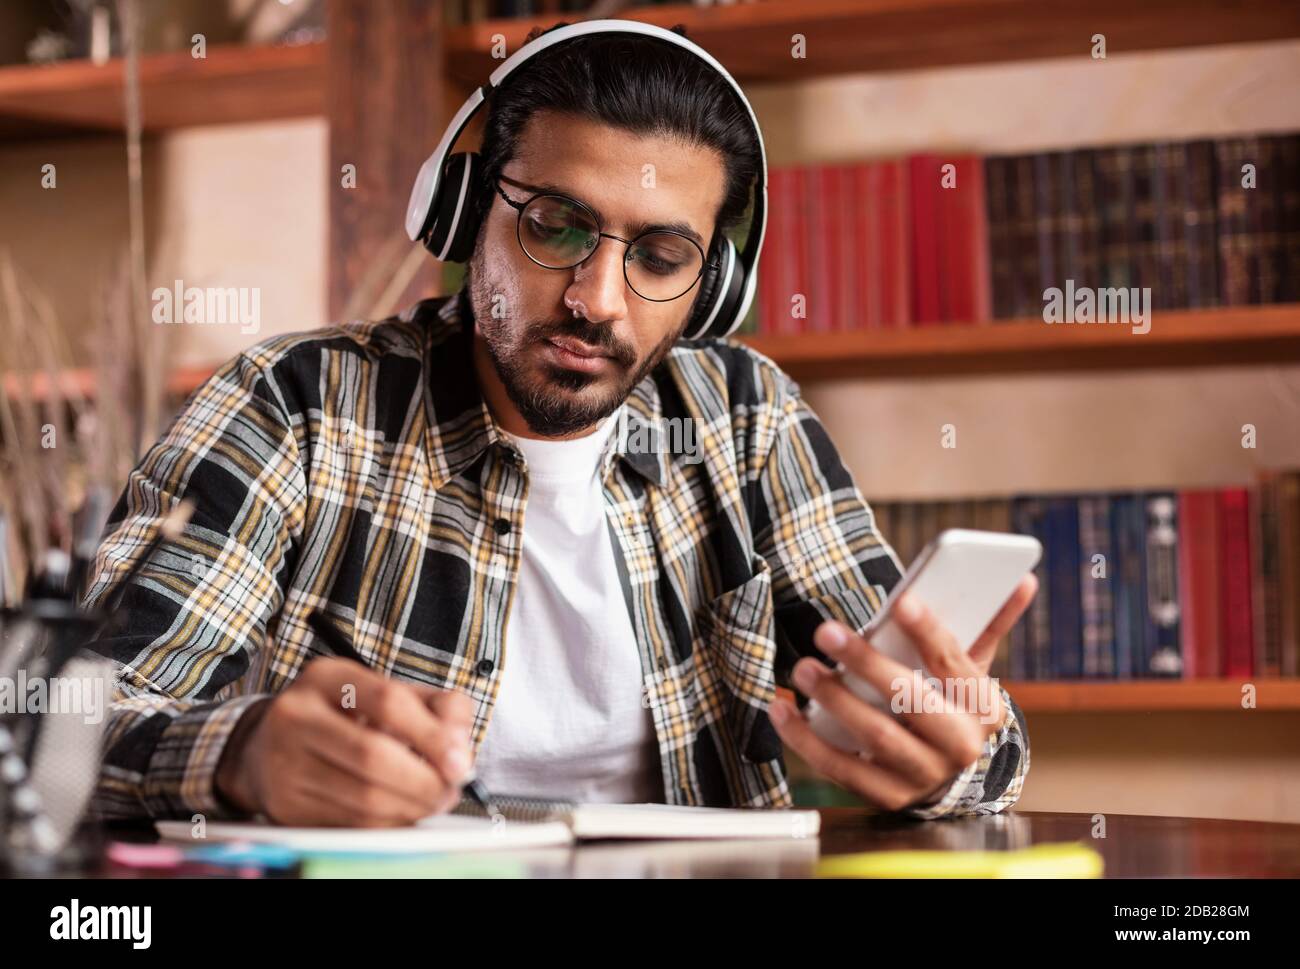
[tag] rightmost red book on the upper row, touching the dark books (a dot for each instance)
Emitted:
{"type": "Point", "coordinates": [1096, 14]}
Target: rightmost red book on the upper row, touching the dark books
{"type": "Point", "coordinates": [964, 287]}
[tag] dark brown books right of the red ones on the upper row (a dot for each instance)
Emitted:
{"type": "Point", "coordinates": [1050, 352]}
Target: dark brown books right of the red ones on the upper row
{"type": "Point", "coordinates": [1202, 224]}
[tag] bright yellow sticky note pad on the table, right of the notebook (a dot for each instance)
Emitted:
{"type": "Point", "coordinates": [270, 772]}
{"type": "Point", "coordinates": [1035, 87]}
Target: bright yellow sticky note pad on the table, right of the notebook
{"type": "Point", "coordinates": [1061, 860]}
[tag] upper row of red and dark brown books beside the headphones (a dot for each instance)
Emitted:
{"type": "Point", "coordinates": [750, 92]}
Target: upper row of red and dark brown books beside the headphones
{"type": "Point", "coordinates": [960, 240]}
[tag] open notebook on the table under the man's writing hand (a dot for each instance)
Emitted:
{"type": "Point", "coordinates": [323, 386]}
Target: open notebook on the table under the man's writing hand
{"type": "Point", "coordinates": [523, 824]}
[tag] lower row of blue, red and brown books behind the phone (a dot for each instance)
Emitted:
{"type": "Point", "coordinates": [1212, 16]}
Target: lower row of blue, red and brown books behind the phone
{"type": "Point", "coordinates": [1193, 585]}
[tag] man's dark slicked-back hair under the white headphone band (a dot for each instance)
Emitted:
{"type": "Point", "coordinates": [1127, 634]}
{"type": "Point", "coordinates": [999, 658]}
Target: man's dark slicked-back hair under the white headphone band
{"type": "Point", "coordinates": [638, 84]}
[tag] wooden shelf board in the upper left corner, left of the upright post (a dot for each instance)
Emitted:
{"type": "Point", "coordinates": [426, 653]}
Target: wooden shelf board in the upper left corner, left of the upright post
{"type": "Point", "coordinates": [233, 84]}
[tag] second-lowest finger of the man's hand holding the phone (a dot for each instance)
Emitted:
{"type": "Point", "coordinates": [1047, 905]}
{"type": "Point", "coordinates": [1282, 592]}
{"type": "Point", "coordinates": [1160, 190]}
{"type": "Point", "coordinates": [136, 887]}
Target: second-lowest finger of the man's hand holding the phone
{"type": "Point", "coordinates": [891, 745]}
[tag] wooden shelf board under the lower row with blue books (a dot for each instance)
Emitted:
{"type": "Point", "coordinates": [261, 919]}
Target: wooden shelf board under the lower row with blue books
{"type": "Point", "coordinates": [1152, 697]}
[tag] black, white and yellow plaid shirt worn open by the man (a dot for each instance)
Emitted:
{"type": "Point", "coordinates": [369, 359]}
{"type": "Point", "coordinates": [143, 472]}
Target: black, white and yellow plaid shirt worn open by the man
{"type": "Point", "coordinates": [358, 469]}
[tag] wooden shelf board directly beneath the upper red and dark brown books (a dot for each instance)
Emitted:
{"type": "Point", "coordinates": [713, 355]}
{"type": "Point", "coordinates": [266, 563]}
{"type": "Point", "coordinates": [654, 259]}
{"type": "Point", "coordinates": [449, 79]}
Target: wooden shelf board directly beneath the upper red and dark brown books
{"type": "Point", "coordinates": [1177, 339]}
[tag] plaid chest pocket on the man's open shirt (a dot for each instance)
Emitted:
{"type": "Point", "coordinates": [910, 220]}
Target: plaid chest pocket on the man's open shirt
{"type": "Point", "coordinates": [736, 643]}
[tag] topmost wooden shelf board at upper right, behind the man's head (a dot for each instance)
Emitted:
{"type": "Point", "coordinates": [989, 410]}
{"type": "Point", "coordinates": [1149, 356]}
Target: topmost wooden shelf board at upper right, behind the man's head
{"type": "Point", "coordinates": [753, 40]}
